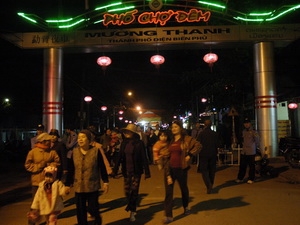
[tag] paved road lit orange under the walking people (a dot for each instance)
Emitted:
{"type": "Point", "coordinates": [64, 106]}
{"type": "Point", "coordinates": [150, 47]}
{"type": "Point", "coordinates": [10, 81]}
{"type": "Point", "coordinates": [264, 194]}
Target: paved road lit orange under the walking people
{"type": "Point", "coordinates": [273, 201]}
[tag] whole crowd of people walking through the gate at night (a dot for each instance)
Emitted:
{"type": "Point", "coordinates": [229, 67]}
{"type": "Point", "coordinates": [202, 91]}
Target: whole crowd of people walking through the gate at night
{"type": "Point", "coordinates": [85, 159]}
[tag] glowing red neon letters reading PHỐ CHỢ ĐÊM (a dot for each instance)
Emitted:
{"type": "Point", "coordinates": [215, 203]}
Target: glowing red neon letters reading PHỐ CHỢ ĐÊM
{"type": "Point", "coordinates": [158, 17]}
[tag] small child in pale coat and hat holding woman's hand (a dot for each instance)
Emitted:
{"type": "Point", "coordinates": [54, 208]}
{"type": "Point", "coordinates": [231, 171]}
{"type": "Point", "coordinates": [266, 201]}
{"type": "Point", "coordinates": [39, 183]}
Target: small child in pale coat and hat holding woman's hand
{"type": "Point", "coordinates": [48, 200]}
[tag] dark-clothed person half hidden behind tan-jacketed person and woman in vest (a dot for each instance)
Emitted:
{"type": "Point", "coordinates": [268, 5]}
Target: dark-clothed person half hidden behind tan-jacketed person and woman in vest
{"type": "Point", "coordinates": [61, 150]}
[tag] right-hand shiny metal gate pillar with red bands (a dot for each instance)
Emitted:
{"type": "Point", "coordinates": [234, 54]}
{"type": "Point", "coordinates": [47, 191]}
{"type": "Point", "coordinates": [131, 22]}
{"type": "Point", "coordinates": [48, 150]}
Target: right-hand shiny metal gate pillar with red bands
{"type": "Point", "coordinates": [265, 97]}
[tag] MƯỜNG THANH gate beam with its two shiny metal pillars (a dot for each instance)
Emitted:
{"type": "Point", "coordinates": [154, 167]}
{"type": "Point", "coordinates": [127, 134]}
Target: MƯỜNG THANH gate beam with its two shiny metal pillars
{"type": "Point", "coordinates": [262, 38]}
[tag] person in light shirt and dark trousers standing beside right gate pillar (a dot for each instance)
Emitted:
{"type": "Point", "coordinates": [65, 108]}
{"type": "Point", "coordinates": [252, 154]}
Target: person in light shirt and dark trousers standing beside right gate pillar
{"type": "Point", "coordinates": [249, 144]}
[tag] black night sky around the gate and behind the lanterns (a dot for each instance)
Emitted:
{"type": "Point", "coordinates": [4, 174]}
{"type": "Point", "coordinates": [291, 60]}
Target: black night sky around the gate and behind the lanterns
{"type": "Point", "coordinates": [21, 71]}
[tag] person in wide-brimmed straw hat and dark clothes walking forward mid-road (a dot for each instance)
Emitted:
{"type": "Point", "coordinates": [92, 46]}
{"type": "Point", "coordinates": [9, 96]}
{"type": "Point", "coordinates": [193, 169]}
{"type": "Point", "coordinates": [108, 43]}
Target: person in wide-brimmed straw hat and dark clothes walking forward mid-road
{"type": "Point", "coordinates": [134, 163]}
